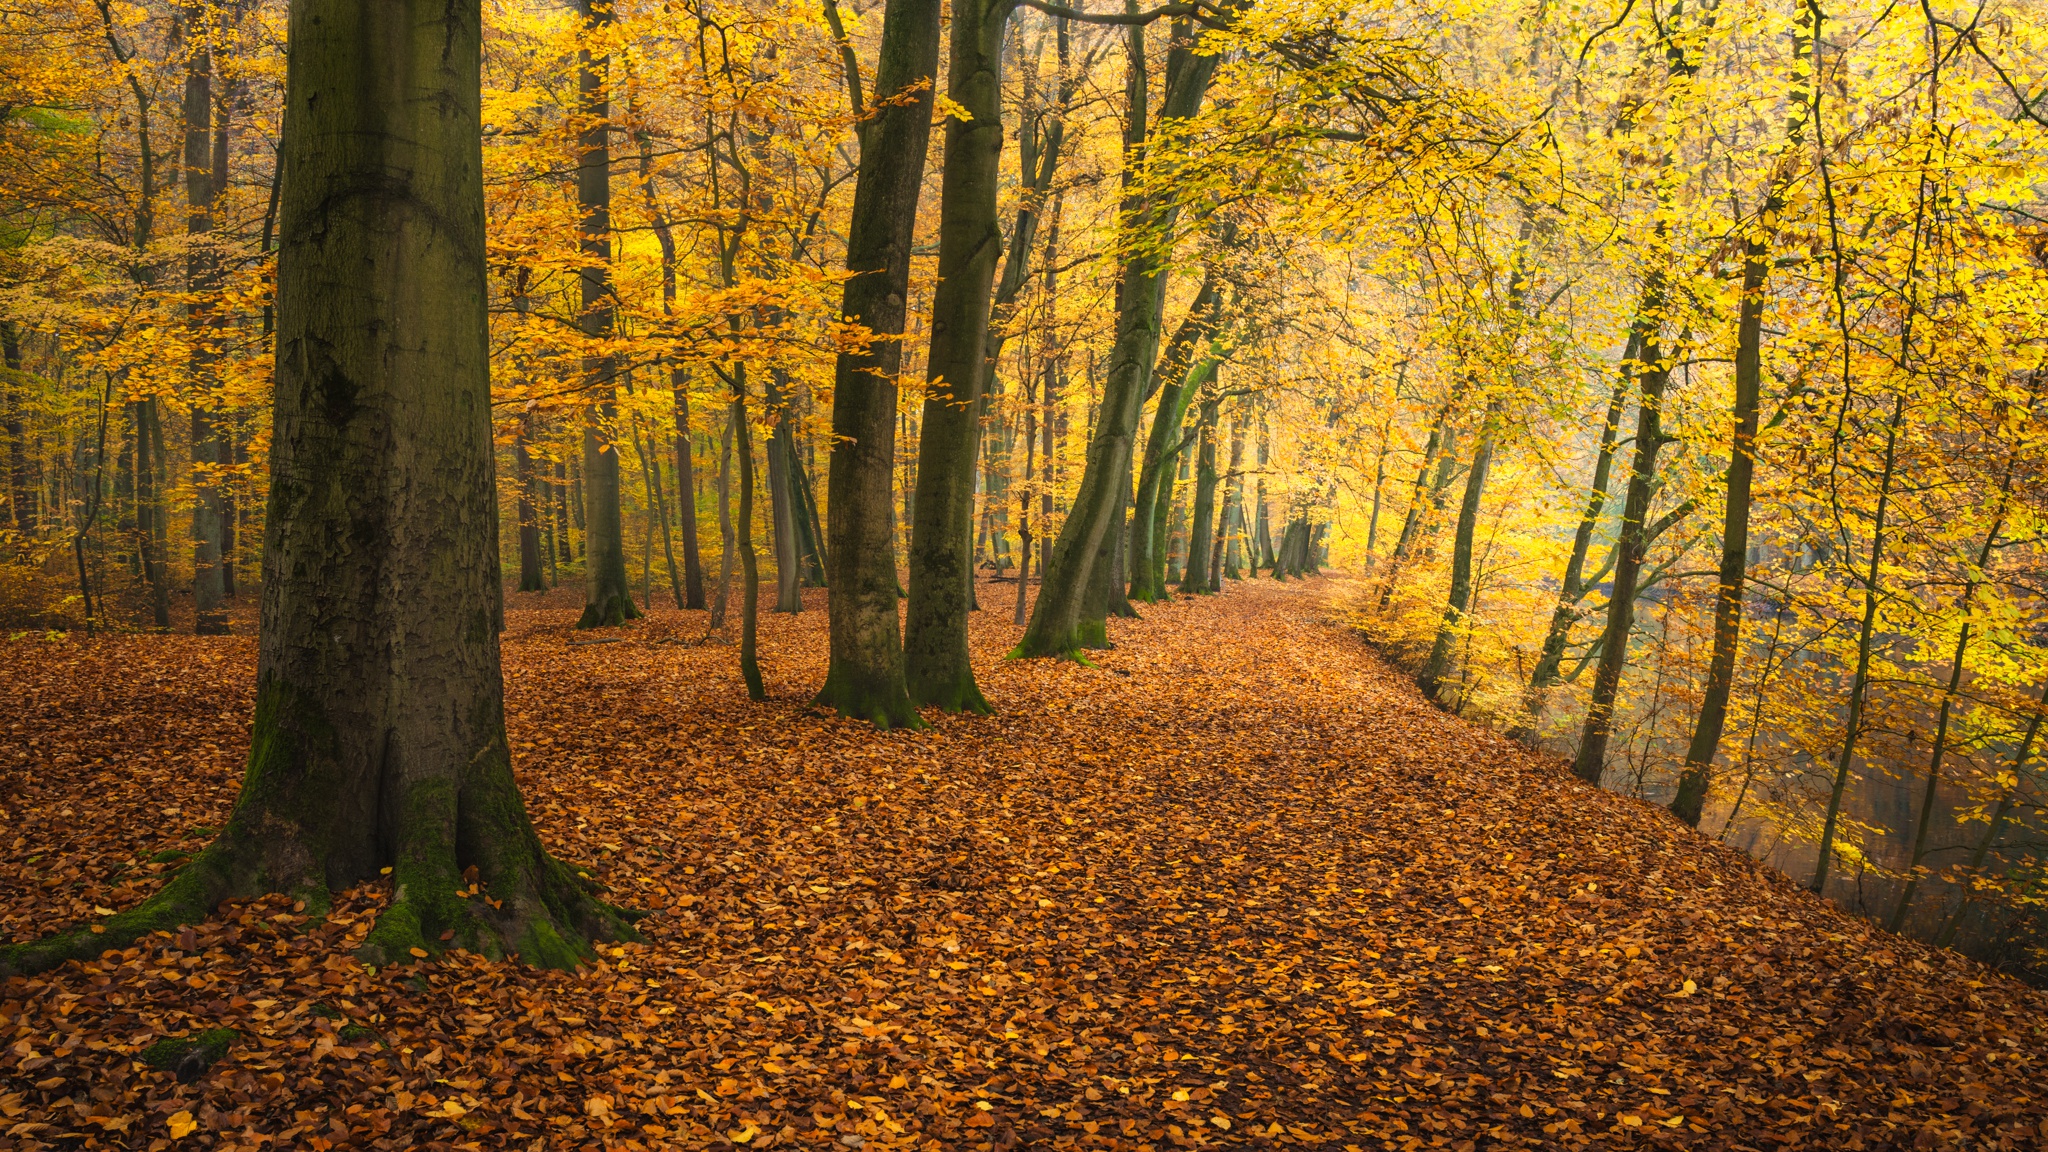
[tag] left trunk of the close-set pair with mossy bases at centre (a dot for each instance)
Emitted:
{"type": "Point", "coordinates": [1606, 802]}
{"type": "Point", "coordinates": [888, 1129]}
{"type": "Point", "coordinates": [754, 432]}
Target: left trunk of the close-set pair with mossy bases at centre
{"type": "Point", "coordinates": [865, 677]}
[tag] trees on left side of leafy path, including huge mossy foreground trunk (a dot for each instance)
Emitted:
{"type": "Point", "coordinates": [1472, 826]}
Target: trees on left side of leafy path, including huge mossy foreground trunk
{"type": "Point", "coordinates": [398, 296]}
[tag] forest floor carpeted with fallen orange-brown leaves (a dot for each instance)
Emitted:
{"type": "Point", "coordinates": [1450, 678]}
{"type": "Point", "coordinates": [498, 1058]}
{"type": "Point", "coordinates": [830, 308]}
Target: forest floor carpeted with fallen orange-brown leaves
{"type": "Point", "coordinates": [1238, 887]}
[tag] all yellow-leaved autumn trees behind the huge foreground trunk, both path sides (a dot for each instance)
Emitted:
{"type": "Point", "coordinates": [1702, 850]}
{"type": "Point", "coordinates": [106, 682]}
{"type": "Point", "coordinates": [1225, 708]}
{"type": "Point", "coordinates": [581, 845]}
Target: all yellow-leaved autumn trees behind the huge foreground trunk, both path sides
{"type": "Point", "coordinates": [1668, 370]}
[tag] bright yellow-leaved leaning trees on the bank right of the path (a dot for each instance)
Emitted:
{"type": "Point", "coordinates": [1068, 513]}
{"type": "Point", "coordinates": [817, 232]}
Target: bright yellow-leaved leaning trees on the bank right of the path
{"type": "Point", "coordinates": [1719, 460]}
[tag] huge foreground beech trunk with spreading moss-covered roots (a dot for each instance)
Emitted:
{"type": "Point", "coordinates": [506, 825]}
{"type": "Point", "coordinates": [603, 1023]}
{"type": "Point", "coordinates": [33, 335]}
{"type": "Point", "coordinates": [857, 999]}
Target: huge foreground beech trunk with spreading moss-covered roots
{"type": "Point", "coordinates": [380, 712]}
